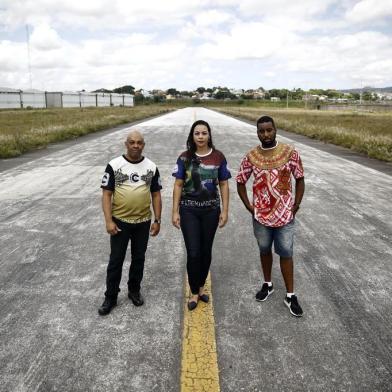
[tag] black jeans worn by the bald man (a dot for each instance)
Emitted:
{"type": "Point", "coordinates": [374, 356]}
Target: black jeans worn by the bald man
{"type": "Point", "coordinates": [138, 233]}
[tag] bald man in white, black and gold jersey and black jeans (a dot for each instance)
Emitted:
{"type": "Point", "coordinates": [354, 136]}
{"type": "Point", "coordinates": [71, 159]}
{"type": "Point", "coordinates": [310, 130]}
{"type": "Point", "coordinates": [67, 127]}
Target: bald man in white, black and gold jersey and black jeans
{"type": "Point", "coordinates": [131, 183]}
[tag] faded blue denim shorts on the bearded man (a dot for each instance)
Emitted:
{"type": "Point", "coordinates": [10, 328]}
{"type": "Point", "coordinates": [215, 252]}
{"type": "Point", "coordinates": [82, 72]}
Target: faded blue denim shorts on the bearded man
{"type": "Point", "coordinates": [282, 237]}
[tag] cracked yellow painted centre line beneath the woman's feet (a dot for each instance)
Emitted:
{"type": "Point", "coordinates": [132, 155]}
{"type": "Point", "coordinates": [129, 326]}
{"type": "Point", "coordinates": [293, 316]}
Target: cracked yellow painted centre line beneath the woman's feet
{"type": "Point", "coordinates": [199, 362]}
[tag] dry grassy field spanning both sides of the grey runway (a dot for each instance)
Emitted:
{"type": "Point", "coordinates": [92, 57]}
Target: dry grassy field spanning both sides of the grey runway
{"type": "Point", "coordinates": [26, 130]}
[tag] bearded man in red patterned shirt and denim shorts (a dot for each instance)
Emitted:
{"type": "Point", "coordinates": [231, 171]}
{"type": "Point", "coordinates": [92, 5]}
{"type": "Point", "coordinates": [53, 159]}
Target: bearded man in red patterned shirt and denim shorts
{"type": "Point", "coordinates": [274, 207]}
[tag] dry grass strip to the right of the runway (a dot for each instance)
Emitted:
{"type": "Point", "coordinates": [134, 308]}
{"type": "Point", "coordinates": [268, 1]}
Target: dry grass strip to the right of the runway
{"type": "Point", "coordinates": [367, 133]}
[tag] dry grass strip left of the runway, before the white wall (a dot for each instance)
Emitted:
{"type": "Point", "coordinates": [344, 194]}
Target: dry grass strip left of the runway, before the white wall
{"type": "Point", "coordinates": [26, 130]}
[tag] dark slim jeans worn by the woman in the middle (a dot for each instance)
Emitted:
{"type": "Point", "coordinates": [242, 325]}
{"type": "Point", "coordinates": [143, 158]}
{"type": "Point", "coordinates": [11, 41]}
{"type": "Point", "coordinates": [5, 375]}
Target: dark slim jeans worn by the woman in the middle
{"type": "Point", "coordinates": [198, 228]}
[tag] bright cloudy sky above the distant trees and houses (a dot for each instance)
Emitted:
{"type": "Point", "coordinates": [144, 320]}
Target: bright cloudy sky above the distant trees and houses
{"type": "Point", "coordinates": [155, 44]}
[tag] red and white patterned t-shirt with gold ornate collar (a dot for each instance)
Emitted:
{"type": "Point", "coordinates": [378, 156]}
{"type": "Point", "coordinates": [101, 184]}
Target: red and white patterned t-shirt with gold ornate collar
{"type": "Point", "coordinates": [272, 188]}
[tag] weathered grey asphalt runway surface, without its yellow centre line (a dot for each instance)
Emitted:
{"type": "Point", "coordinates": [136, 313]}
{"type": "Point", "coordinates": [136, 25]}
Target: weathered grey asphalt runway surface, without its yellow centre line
{"type": "Point", "coordinates": [54, 252]}
